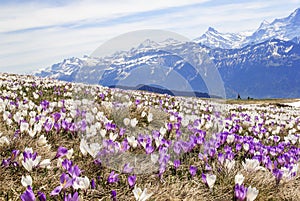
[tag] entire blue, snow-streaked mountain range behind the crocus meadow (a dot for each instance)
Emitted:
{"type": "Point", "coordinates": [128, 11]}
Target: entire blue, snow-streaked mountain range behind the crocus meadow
{"type": "Point", "coordinates": [264, 64]}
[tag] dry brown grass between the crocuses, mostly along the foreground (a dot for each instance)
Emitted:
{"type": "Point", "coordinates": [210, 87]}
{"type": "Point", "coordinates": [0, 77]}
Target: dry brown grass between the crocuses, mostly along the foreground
{"type": "Point", "coordinates": [174, 185]}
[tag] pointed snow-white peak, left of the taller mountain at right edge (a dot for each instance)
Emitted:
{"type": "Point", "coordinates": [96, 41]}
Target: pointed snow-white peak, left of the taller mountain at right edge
{"type": "Point", "coordinates": [214, 39]}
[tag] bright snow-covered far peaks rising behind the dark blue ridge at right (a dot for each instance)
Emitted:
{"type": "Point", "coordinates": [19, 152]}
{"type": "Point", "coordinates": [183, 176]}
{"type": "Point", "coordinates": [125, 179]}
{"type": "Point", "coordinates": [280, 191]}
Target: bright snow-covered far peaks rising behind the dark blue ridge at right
{"type": "Point", "coordinates": [287, 28]}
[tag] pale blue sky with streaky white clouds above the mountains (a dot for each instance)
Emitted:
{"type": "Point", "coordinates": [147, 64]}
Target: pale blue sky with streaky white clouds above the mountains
{"type": "Point", "coordinates": [36, 34]}
